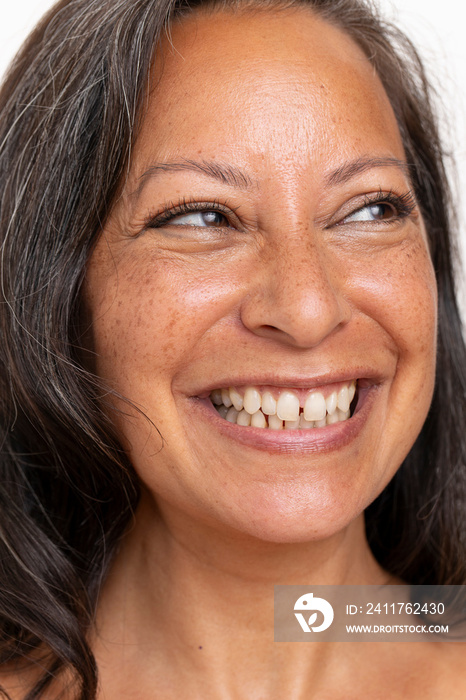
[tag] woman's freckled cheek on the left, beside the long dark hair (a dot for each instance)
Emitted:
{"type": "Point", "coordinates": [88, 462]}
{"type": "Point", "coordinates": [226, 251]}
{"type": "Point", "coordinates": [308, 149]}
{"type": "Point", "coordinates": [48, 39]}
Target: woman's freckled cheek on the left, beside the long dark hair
{"type": "Point", "coordinates": [151, 313]}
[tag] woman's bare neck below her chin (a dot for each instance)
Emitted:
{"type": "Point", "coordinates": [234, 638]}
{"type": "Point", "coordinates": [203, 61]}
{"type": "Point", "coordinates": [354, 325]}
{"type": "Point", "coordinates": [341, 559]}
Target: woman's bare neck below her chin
{"type": "Point", "coordinates": [184, 586]}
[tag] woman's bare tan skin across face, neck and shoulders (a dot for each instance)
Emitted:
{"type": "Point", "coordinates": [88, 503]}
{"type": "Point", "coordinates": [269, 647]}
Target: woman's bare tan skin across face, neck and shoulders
{"type": "Point", "coordinates": [292, 285]}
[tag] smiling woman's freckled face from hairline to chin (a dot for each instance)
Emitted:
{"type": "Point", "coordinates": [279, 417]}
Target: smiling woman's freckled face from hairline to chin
{"type": "Point", "coordinates": [268, 240]}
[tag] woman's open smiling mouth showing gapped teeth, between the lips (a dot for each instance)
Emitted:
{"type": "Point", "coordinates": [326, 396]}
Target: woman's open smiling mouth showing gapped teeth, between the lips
{"type": "Point", "coordinates": [278, 408]}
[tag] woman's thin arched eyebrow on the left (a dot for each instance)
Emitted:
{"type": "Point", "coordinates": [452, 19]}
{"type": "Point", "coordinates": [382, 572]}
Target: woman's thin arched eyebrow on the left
{"type": "Point", "coordinates": [223, 172]}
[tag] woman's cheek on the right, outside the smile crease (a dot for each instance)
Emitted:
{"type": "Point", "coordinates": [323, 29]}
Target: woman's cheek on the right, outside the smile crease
{"type": "Point", "coordinates": [401, 297]}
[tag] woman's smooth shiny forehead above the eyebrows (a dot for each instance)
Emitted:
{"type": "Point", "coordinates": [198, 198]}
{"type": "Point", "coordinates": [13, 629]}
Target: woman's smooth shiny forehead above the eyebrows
{"type": "Point", "coordinates": [266, 83]}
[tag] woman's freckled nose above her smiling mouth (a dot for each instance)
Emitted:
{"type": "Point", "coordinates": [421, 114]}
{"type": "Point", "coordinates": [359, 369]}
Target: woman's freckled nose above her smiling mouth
{"type": "Point", "coordinates": [296, 294]}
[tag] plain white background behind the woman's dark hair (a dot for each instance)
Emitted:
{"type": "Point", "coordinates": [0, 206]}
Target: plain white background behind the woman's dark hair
{"type": "Point", "coordinates": [436, 27]}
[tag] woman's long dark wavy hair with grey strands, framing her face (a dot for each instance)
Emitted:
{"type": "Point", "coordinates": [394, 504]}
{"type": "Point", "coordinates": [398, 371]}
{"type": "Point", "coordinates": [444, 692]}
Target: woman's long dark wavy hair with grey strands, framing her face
{"type": "Point", "coordinates": [71, 106]}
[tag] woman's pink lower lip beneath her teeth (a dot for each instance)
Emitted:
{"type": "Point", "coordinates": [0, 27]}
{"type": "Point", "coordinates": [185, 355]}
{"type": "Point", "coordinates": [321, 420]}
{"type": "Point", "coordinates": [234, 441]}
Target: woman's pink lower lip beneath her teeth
{"type": "Point", "coordinates": [331, 437]}
